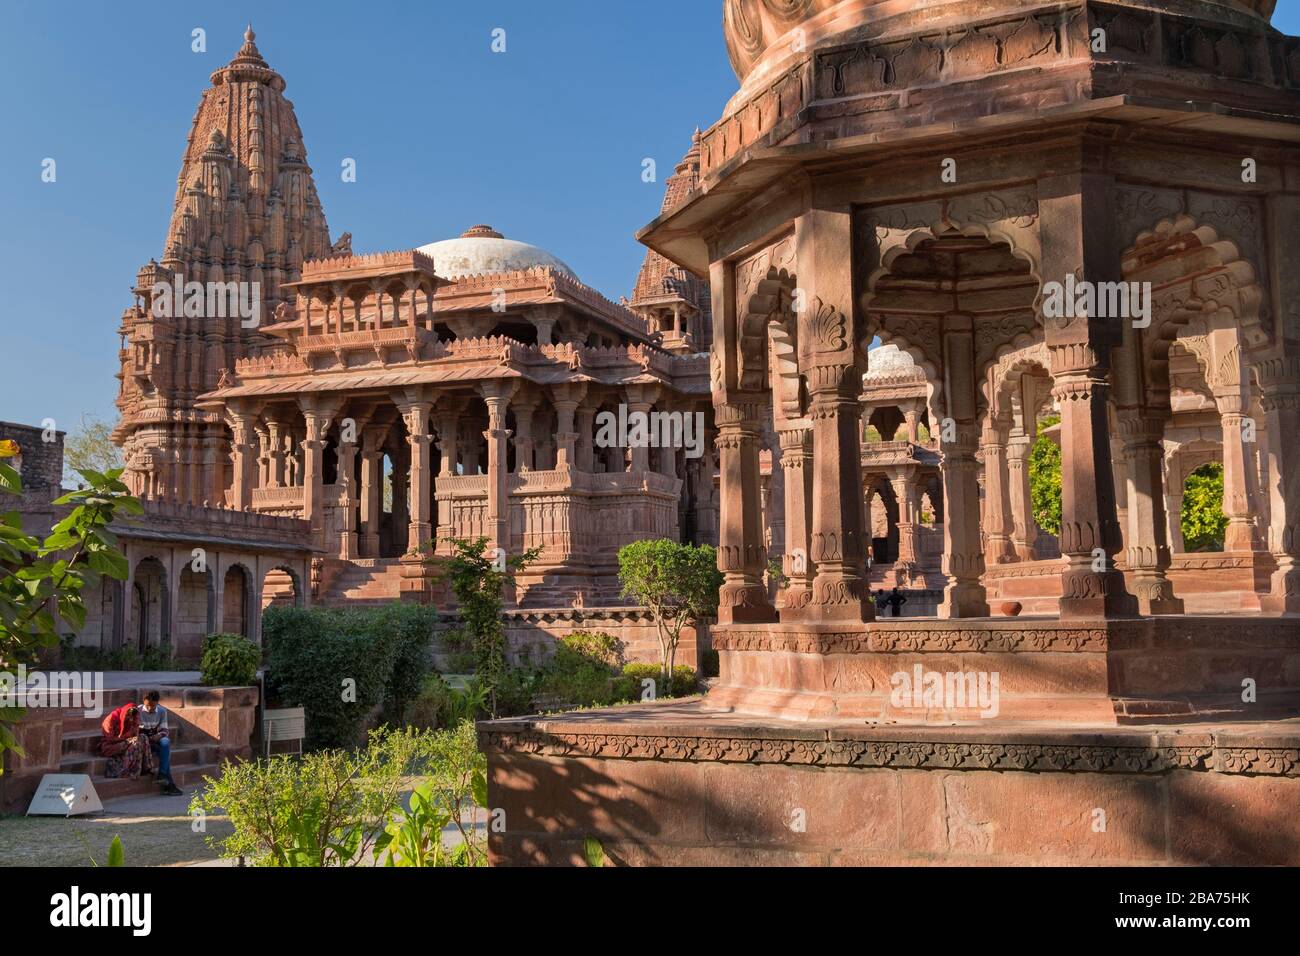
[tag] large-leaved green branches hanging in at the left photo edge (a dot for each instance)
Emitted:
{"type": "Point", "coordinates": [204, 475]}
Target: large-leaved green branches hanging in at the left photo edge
{"type": "Point", "coordinates": [41, 579]}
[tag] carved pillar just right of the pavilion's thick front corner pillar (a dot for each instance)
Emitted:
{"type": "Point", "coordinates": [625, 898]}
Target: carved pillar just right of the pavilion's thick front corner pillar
{"type": "Point", "coordinates": [1147, 555]}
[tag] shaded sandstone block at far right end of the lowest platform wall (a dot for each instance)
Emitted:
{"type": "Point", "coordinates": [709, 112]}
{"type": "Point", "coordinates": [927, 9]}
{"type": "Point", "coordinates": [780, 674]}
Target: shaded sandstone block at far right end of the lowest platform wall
{"type": "Point", "coordinates": [1234, 820]}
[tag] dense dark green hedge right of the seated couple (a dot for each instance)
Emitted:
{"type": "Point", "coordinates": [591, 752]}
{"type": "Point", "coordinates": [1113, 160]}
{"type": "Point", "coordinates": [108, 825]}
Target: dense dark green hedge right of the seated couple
{"type": "Point", "coordinates": [341, 664]}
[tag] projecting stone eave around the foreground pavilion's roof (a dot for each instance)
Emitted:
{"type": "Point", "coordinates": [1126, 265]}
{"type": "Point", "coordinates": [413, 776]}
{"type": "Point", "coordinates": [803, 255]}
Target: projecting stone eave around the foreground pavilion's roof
{"type": "Point", "coordinates": [678, 235]}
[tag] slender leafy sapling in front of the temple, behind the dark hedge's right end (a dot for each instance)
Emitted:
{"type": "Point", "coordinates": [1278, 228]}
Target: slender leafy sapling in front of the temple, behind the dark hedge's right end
{"type": "Point", "coordinates": [478, 582]}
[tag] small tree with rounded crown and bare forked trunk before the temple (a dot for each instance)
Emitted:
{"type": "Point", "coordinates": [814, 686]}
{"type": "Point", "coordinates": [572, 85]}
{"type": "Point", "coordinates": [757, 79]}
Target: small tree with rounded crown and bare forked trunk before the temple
{"type": "Point", "coordinates": [678, 583]}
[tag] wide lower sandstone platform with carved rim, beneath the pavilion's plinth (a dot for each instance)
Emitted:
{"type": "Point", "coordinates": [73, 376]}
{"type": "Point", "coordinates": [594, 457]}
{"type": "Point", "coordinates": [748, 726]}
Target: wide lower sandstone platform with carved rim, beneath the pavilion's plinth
{"type": "Point", "coordinates": [682, 784]}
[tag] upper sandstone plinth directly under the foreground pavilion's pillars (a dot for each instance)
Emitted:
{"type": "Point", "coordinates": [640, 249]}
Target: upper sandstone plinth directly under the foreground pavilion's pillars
{"type": "Point", "coordinates": [1077, 673]}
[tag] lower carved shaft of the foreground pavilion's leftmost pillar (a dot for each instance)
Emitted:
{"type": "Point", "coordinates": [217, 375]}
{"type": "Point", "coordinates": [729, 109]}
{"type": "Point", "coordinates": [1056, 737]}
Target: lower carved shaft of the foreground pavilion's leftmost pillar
{"type": "Point", "coordinates": [740, 544]}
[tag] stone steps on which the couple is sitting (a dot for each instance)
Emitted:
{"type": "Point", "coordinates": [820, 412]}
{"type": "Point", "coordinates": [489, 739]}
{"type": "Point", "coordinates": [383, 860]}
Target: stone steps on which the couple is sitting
{"type": "Point", "coordinates": [192, 763]}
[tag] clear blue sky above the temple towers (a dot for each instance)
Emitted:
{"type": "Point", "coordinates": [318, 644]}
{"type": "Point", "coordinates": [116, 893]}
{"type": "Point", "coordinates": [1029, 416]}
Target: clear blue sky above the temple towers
{"type": "Point", "coordinates": [544, 142]}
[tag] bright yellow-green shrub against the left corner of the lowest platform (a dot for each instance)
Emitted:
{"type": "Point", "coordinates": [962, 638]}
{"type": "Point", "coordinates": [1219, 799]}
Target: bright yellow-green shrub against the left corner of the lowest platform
{"type": "Point", "coordinates": [457, 780]}
